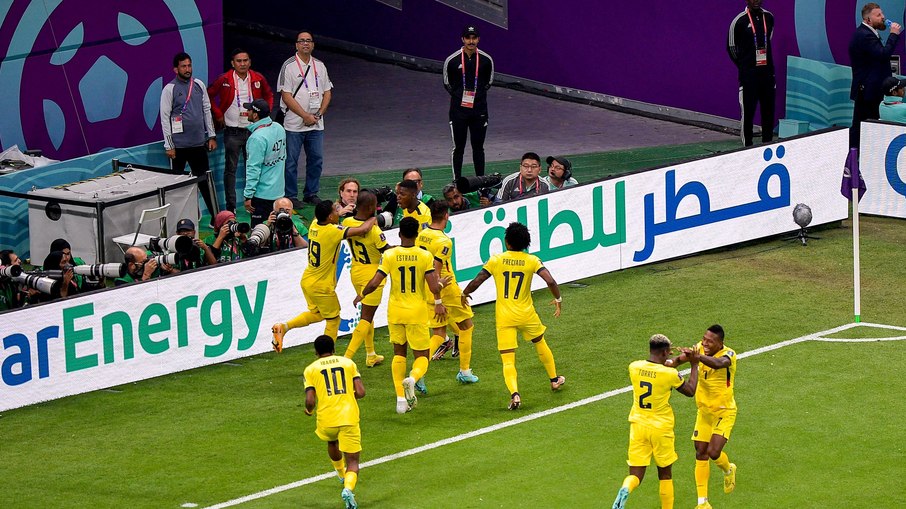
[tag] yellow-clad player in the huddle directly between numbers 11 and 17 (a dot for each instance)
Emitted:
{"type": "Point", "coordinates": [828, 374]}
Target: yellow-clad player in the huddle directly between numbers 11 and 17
{"type": "Point", "coordinates": [435, 241]}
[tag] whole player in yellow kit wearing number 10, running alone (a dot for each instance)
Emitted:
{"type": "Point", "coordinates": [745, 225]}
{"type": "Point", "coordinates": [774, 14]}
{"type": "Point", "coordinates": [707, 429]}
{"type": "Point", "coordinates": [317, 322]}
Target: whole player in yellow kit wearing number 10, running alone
{"type": "Point", "coordinates": [333, 384]}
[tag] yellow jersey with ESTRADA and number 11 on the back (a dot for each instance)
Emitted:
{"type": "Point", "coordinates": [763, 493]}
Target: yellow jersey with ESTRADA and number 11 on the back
{"type": "Point", "coordinates": [406, 267]}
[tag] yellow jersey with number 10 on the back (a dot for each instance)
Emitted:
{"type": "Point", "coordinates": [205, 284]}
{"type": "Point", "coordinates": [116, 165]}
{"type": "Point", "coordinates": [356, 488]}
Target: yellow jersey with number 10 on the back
{"type": "Point", "coordinates": [332, 380]}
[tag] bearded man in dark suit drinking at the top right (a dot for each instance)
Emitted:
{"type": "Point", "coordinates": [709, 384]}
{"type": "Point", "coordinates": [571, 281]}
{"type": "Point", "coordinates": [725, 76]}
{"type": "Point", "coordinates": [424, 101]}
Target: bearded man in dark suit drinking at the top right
{"type": "Point", "coordinates": [870, 60]}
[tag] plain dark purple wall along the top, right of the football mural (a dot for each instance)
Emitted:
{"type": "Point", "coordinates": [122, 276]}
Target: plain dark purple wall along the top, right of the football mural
{"type": "Point", "coordinates": [669, 54]}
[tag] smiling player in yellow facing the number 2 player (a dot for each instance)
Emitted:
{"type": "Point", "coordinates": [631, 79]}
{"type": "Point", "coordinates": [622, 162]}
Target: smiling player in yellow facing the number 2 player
{"type": "Point", "coordinates": [716, 411]}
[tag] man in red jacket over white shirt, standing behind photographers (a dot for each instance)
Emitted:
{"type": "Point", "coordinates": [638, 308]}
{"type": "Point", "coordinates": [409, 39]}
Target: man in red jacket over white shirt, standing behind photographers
{"type": "Point", "coordinates": [228, 93]}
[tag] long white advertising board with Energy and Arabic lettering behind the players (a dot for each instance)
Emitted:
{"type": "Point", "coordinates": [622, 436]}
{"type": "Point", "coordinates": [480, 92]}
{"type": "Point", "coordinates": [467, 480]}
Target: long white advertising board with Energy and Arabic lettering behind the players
{"type": "Point", "coordinates": [222, 313]}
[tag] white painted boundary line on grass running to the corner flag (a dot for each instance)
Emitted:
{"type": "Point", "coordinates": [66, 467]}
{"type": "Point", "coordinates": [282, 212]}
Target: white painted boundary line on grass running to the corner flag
{"type": "Point", "coordinates": [818, 336]}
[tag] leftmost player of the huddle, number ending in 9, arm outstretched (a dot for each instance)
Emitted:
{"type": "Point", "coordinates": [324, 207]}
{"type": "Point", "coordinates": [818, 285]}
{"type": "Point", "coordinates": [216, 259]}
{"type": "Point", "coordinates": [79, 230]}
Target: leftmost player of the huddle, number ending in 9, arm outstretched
{"type": "Point", "coordinates": [319, 280]}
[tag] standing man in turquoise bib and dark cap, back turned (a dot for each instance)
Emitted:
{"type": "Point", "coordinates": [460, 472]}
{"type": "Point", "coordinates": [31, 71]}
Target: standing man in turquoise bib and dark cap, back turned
{"type": "Point", "coordinates": [266, 149]}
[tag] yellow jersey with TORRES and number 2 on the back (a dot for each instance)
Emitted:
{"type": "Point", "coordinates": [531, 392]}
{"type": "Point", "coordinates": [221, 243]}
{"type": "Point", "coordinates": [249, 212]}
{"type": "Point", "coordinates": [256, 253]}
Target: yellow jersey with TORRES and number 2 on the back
{"type": "Point", "coordinates": [652, 384]}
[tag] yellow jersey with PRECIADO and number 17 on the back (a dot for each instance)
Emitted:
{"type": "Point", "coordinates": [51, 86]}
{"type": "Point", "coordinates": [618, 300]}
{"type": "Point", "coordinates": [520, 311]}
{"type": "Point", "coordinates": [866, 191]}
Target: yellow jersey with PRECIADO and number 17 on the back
{"type": "Point", "coordinates": [513, 272]}
